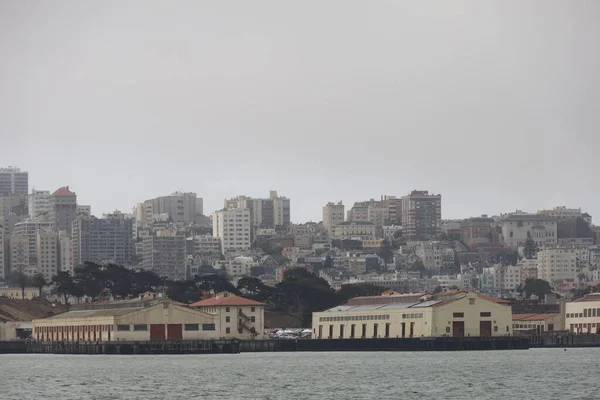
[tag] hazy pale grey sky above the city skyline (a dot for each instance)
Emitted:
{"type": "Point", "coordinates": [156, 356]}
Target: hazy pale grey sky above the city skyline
{"type": "Point", "coordinates": [493, 104]}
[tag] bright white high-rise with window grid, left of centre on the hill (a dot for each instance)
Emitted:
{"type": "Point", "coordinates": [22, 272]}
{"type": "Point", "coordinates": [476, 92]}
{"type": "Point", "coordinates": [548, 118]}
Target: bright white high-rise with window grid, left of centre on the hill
{"type": "Point", "coordinates": [232, 225]}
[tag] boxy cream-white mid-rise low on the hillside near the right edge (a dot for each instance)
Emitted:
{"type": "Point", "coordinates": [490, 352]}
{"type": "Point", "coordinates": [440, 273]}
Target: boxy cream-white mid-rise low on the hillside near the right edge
{"type": "Point", "coordinates": [556, 264]}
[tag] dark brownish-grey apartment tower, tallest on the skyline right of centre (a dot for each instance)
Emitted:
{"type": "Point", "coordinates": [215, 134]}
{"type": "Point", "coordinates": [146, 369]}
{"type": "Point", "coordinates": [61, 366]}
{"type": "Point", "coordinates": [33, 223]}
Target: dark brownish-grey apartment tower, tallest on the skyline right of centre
{"type": "Point", "coordinates": [422, 215]}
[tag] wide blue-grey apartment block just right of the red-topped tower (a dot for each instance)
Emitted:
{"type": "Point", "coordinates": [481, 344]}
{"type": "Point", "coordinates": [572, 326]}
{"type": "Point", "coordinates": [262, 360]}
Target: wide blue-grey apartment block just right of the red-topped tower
{"type": "Point", "coordinates": [103, 240]}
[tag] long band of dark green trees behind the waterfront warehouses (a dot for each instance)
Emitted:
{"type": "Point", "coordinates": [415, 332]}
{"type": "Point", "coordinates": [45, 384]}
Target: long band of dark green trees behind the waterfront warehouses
{"type": "Point", "coordinates": [300, 293]}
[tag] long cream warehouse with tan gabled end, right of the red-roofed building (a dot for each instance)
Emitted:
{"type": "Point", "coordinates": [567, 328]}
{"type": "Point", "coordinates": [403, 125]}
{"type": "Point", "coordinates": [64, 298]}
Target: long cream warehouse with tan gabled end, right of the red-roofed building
{"type": "Point", "coordinates": [455, 314]}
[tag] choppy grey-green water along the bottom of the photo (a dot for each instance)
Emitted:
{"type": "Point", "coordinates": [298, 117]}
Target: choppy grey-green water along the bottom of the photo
{"type": "Point", "coordinates": [530, 374]}
